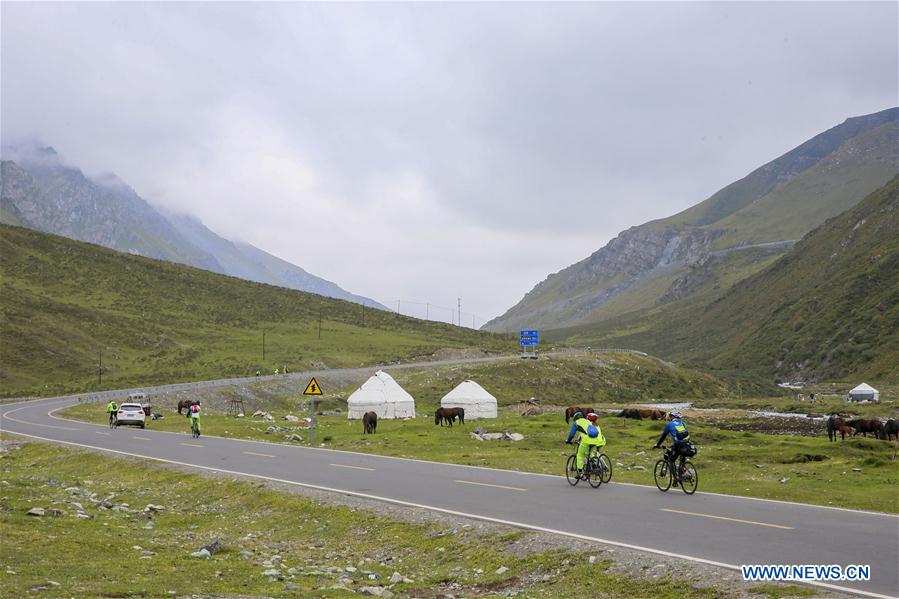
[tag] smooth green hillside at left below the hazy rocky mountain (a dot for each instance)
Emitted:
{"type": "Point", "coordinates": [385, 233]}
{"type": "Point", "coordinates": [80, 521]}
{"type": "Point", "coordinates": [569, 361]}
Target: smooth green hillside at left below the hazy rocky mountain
{"type": "Point", "coordinates": [155, 322]}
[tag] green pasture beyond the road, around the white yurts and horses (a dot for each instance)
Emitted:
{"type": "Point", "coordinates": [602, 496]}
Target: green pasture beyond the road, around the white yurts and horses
{"type": "Point", "coordinates": [731, 460]}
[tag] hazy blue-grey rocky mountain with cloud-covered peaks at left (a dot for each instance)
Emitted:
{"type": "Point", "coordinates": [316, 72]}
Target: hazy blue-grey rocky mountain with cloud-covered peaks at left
{"type": "Point", "coordinates": [40, 192]}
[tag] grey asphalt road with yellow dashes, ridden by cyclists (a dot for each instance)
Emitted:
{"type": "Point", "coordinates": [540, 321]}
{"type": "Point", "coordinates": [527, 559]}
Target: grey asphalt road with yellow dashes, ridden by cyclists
{"type": "Point", "coordinates": [718, 529]}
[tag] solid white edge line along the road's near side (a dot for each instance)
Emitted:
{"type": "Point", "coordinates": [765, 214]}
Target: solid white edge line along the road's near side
{"type": "Point", "coordinates": [454, 513]}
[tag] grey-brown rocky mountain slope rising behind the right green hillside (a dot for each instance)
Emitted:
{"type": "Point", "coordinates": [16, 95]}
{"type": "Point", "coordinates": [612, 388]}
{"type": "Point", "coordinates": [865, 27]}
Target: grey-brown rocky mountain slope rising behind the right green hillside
{"type": "Point", "coordinates": [771, 207]}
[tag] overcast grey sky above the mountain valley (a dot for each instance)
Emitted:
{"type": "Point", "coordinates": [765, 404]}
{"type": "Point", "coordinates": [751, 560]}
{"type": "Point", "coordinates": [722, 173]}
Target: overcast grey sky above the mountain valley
{"type": "Point", "coordinates": [427, 152]}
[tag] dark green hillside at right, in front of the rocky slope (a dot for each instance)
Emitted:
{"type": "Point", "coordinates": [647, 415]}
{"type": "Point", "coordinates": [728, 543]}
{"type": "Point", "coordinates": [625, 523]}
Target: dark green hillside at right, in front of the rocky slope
{"type": "Point", "coordinates": [829, 309]}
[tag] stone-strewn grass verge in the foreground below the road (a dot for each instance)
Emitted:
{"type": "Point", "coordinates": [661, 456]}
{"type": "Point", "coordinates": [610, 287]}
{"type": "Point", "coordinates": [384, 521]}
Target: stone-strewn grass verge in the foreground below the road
{"type": "Point", "coordinates": [120, 552]}
